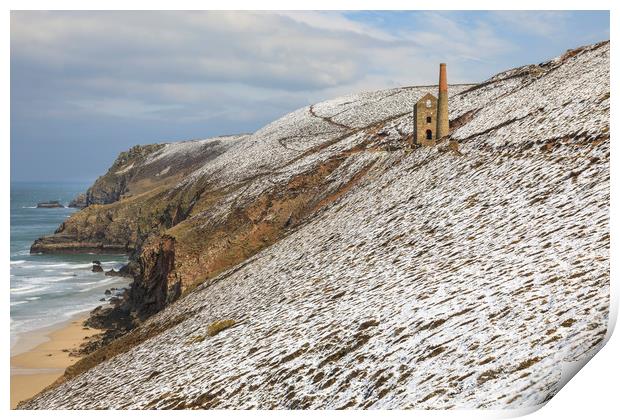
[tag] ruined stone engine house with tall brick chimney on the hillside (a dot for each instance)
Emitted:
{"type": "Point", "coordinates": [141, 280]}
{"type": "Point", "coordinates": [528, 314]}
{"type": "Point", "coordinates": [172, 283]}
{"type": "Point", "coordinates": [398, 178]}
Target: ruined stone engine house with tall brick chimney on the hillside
{"type": "Point", "coordinates": [430, 113]}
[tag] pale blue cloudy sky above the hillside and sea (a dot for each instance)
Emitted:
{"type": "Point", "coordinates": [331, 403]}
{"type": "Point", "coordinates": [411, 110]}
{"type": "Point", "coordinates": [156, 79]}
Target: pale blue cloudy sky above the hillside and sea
{"type": "Point", "coordinates": [87, 85]}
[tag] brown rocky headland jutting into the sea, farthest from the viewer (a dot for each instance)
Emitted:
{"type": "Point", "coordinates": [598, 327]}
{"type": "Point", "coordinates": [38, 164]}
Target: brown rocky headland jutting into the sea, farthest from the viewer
{"type": "Point", "coordinates": [133, 199]}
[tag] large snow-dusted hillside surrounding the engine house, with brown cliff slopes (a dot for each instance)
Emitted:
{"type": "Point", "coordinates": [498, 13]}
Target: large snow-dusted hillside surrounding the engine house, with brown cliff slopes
{"type": "Point", "coordinates": [360, 271]}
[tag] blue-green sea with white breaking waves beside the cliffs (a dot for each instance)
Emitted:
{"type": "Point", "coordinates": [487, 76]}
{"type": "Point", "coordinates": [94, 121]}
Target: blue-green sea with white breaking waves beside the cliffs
{"type": "Point", "coordinates": [50, 289]}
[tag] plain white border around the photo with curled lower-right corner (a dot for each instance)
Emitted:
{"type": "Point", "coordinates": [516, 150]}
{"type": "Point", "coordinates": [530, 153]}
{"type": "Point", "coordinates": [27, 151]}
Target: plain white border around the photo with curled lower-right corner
{"type": "Point", "coordinates": [592, 394]}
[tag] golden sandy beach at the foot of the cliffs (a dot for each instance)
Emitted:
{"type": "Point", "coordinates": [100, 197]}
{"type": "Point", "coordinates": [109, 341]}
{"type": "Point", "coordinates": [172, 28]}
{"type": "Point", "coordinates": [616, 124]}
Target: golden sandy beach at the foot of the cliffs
{"type": "Point", "coordinates": [42, 356]}
